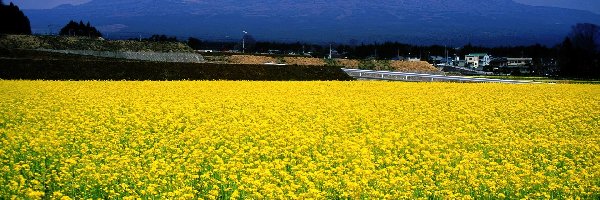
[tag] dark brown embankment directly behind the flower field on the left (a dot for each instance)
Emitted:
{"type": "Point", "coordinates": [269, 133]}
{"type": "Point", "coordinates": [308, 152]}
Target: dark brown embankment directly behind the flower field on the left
{"type": "Point", "coordinates": [34, 65]}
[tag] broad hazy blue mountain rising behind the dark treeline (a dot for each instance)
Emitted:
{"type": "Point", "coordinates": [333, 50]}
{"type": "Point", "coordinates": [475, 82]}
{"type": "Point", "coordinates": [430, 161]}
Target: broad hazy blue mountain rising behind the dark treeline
{"type": "Point", "coordinates": [444, 22]}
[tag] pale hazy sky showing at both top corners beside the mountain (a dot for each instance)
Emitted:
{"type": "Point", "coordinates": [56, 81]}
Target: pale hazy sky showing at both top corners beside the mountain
{"type": "Point", "coordinates": [589, 5]}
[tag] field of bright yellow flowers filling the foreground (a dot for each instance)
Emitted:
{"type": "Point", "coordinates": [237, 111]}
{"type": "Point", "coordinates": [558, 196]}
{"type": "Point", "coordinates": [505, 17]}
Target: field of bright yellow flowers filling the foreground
{"type": "Point", "coordinates": [281, 140]}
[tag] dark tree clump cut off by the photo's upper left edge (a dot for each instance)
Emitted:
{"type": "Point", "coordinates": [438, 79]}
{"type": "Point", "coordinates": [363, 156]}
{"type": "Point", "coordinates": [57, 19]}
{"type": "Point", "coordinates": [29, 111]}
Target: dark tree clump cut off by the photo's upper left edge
{"type": "Point", "coordinates": [12, 20]}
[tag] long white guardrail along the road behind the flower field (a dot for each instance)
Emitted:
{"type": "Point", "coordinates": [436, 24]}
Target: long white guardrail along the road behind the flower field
{"type": "Point", "coordinates": [405, 76]}
